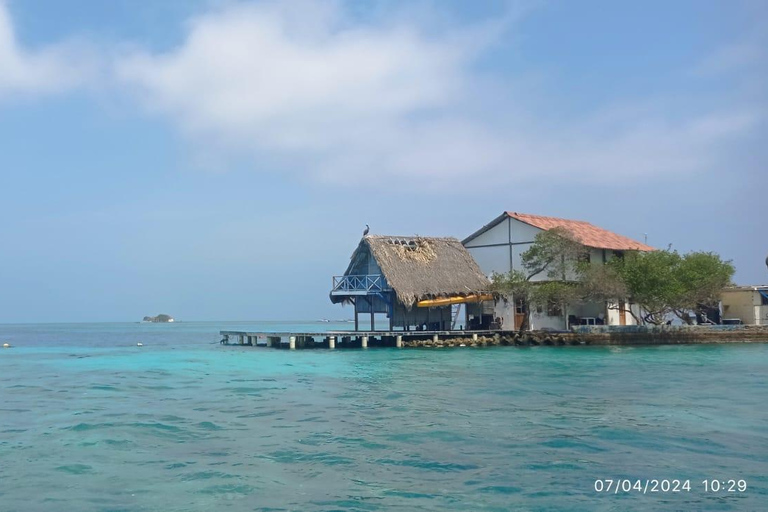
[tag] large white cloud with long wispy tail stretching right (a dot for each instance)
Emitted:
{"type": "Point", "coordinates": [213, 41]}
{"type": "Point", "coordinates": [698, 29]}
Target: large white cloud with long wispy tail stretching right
{"type": "Point", "coordinates": [347, 102]}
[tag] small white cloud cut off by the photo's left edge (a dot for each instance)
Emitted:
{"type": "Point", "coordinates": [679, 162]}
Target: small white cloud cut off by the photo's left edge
{"type": "Point", "coordinates": [46, 70]}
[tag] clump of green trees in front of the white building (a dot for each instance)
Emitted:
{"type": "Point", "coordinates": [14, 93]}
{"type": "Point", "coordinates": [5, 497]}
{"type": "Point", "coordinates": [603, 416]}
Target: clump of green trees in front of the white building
{"type": "Point", "coordinates": [662, 283]}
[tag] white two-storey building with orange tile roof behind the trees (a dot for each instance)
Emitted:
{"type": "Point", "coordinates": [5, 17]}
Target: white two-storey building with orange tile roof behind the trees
{"type": "Point", "coordinates": [498, 247]}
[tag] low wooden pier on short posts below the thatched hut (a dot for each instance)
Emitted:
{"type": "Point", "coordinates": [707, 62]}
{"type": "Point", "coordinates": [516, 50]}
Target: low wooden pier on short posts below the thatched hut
{"type": "Point", "coordinates": [357, 339]}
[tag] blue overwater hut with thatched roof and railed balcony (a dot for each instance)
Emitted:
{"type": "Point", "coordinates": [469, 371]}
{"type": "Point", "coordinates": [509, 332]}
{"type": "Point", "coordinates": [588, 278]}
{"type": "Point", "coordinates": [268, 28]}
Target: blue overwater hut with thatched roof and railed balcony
{"type": "Point", "coordinates": [418, 282]}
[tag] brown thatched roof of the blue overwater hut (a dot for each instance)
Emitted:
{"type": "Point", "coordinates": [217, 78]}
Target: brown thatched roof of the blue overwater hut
{"type": "Point", "coordinates": [419, 268]}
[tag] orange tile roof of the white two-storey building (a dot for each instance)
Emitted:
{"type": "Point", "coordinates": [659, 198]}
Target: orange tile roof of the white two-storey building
{"type": "Point", "coordinates": [586, 233]}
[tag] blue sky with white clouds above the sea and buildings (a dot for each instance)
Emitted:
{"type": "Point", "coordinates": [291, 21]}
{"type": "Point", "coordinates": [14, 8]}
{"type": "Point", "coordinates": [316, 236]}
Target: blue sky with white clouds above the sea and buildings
{"type": "Point", "coordinates": [219, 159]}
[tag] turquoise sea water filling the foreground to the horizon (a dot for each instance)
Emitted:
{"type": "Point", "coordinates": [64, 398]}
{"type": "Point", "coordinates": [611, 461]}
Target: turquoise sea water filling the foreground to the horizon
{"type": "Point", "coordinates": [91, 422]}
